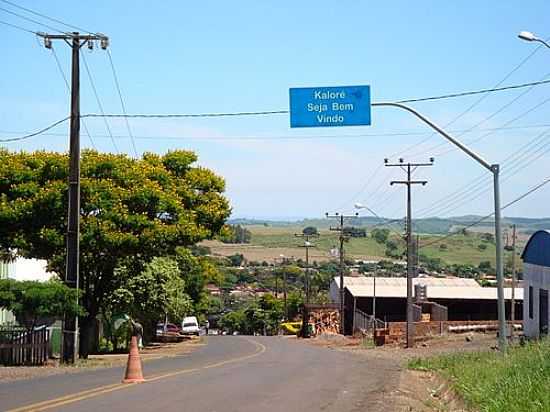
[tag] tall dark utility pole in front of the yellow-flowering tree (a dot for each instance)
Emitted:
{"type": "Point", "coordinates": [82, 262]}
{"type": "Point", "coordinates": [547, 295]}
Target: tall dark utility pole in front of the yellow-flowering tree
{"type": "Point", "coordinates": [75, 41]}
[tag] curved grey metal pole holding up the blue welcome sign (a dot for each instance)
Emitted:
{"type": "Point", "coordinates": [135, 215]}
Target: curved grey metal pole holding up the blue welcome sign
{"type": "Point", "coordinates": [495, 170]}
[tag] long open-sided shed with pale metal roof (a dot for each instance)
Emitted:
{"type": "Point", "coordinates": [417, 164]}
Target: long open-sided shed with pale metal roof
{"type": "Point", "coordinates": [453, 299]}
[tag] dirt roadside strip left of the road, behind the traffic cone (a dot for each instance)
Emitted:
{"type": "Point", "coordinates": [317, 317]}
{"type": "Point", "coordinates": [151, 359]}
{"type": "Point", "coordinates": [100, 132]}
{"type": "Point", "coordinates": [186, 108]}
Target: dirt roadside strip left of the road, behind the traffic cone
{"type": "Point", "coordinates": [154, 351]}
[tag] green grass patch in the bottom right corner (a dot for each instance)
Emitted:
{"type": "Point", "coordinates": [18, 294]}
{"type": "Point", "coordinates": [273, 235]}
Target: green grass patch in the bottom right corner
{"type": "Point", "coordinates": [518, 381]}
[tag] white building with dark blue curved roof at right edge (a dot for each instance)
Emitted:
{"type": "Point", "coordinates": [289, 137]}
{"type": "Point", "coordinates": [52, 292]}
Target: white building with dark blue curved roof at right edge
{"type": "Point", "coordinates": [536, 276]}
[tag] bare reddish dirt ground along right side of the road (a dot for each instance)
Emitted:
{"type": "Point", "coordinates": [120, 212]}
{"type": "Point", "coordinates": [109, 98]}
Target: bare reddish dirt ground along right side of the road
{"type": "Point", "coordinates": [416, 391]}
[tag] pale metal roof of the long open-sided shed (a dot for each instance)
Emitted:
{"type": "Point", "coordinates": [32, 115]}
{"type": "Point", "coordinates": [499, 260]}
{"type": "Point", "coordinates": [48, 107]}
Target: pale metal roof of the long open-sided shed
{"type": "Point", "coordinates": [437, 288]}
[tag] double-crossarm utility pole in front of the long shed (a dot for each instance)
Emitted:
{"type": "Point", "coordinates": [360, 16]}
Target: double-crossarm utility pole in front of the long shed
{"type": "Point", "coordinates": [409, 168]}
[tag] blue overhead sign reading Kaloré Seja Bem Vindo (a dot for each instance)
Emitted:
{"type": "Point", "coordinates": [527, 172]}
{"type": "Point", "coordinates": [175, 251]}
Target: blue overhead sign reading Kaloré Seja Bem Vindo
{"type": "Point", "coordinates": [330, 106]}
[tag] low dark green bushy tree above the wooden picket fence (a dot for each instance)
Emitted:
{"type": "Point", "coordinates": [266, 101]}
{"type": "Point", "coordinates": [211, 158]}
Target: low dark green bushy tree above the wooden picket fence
{"type": "Point", "coordinates": [34, 303]}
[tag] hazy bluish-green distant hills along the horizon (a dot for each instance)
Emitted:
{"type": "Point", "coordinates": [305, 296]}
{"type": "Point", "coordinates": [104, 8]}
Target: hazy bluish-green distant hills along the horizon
{"type": "Point", "coordinates": [431, 225]}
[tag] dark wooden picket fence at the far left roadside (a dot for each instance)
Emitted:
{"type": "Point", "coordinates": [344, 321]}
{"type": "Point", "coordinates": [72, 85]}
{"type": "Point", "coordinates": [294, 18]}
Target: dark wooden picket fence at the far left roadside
{"type": "Point", "coordinates": [19, 346]}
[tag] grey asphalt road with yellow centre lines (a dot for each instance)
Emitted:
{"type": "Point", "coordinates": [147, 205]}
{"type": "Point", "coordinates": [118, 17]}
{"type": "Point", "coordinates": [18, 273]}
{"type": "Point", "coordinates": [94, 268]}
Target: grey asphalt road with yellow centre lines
{"type": "Point", "coordinates": [228, 374]}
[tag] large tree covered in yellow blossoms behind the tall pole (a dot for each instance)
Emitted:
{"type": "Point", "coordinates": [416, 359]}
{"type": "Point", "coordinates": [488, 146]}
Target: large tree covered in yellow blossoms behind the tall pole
{"type": "Point", "coordinates": [132, 210]}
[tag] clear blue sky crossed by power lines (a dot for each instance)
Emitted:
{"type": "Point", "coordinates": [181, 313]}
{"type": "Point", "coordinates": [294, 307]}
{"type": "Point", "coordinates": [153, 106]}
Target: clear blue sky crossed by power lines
{"type": "Point", "coordinates": [217, 56]}
